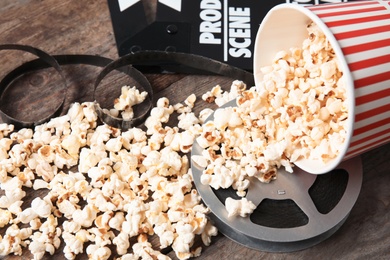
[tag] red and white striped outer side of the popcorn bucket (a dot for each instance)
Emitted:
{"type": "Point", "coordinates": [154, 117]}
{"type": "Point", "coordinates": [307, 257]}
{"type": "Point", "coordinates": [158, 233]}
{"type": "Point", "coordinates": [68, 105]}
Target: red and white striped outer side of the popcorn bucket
{"type": "Point", "coordinates": [362, 30]}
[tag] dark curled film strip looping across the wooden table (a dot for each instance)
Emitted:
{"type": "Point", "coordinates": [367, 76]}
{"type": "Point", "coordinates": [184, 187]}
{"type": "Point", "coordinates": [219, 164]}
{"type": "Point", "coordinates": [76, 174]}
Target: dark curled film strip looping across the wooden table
{"type": "Point", "coordinates": [133, 65]}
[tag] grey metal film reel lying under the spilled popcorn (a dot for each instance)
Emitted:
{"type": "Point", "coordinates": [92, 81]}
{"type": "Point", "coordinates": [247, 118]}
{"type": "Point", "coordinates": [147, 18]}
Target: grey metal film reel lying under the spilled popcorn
{"type": "Point", "coordinates": [294, 212]}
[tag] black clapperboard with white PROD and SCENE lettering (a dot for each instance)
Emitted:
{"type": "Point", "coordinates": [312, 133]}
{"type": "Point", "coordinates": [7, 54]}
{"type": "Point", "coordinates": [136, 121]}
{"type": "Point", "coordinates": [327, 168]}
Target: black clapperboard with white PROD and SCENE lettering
{"type": "Point", "coordinates": [224, 30]}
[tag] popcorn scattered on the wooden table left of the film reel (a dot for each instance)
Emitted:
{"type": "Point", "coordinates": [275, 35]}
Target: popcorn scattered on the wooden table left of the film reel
{"type": "Point", "coordinates": [103, 188]}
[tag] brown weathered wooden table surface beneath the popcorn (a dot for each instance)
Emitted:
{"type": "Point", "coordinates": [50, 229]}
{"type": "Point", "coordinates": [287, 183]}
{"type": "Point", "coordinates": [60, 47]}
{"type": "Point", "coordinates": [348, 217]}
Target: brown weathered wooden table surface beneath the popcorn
{"type": "Point", "coordinates": [84, 27]}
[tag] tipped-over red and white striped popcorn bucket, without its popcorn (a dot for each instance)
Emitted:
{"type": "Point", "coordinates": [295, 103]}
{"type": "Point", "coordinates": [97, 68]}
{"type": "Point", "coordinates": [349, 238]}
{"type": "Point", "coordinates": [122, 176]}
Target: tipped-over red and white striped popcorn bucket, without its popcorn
{"type": "Point", "coordinates": [359, 33]}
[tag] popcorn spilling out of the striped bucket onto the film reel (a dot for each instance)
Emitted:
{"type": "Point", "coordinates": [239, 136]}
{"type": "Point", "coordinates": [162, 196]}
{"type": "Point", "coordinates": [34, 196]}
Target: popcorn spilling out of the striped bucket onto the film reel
{"type": "Point", "coordinates": [298, 111]}
